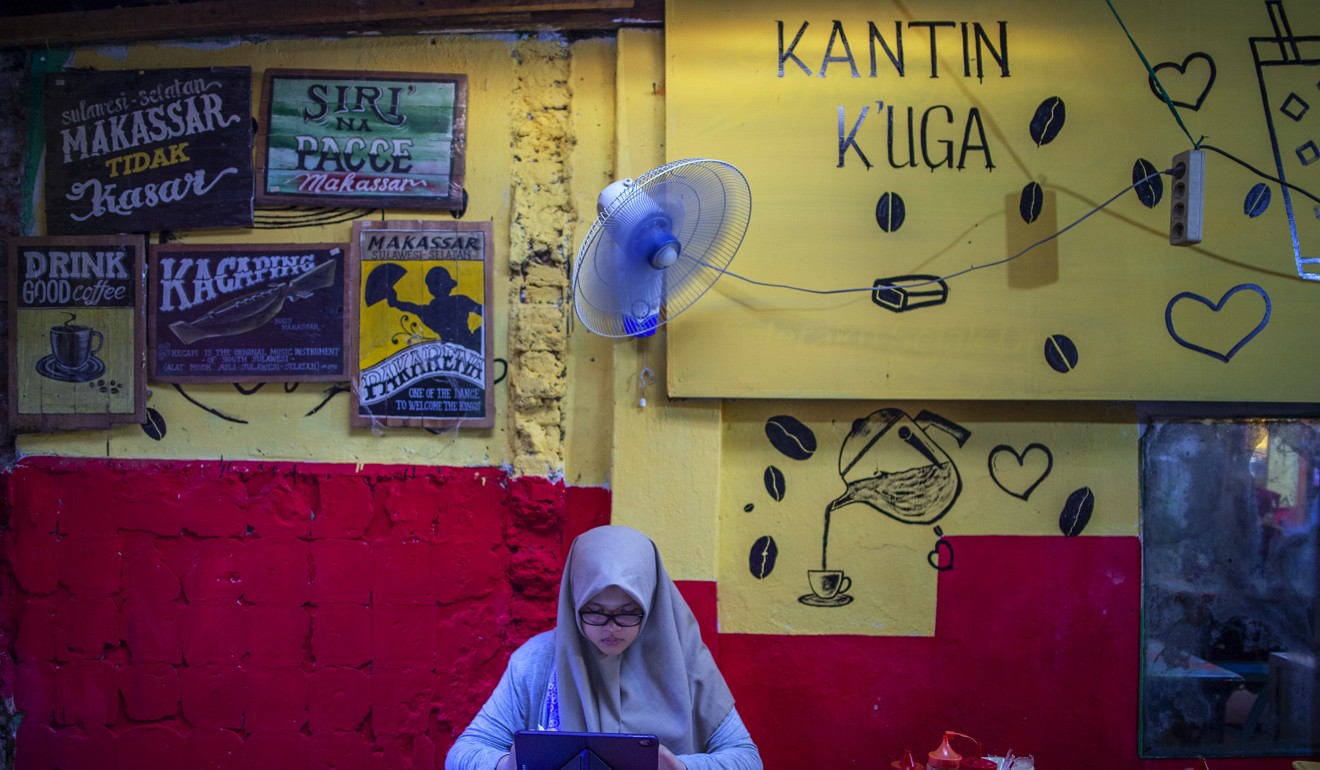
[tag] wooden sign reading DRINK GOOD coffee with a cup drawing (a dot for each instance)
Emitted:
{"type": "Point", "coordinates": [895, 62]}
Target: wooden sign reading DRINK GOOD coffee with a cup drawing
{"type": "Point", "coordinates": [77, 332]}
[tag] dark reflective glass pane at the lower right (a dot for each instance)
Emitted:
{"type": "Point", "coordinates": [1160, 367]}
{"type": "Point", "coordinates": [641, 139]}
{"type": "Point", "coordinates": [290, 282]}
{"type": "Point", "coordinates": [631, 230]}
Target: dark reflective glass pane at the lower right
{"type": "Point", "coordinates": [1230, 613]}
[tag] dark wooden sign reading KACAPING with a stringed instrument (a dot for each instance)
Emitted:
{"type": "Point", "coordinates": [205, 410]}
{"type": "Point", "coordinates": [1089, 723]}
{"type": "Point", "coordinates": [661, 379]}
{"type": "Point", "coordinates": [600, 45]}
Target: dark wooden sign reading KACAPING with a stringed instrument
{"type": "Point", "coordinates": [249, 314]}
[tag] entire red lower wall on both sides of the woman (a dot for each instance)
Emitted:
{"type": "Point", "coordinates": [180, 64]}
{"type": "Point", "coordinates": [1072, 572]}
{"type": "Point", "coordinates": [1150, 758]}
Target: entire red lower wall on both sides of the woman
{"type": "Point", "coordinates": [208, 615]}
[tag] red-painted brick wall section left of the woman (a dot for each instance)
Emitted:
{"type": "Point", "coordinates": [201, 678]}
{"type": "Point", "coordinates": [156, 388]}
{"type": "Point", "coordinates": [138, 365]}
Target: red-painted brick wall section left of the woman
{"type": "Point", "coordinates": [208, 615]}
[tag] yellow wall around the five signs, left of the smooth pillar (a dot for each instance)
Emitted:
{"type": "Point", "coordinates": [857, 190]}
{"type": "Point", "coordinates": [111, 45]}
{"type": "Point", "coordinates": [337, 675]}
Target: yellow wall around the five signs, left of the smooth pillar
{"type": "Point", "coordinates": [550, 431]}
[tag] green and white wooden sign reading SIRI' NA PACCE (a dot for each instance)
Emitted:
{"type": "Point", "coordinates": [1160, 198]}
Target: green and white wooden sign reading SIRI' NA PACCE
{"type": "Point", "coordinates": [362, 139]}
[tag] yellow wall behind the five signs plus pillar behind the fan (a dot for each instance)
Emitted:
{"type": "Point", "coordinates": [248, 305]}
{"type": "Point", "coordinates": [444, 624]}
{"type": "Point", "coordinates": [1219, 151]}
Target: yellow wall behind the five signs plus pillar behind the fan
{"type": "Point", "coordinates": [616, 121]}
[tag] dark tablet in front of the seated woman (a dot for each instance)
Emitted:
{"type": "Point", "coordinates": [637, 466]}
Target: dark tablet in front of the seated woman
{"type": "Point", "coordinates": [555, 751]}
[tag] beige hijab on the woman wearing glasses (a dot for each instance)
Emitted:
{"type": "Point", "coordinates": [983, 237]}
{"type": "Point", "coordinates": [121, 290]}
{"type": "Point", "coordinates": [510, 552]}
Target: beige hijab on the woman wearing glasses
{"type": "Point", "coordinates": [666, 682]}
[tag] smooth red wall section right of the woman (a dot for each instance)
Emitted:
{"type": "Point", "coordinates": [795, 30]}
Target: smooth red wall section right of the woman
{"type": "Point", "coordinates": [1036, 650]}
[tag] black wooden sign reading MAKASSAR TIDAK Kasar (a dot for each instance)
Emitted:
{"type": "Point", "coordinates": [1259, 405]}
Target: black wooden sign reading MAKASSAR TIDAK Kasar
{"type": "Point", "coordinates": [148, 150]}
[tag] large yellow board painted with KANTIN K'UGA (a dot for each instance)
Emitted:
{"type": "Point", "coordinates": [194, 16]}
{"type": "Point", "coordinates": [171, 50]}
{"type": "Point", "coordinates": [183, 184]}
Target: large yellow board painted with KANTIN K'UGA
{"type": "Point", "coordinates": [1107, 285]}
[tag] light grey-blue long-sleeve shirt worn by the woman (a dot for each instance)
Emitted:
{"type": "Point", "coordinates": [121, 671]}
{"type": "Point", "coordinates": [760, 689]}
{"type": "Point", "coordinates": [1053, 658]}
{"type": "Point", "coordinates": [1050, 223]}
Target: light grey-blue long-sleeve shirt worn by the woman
{"type": "Point", "coordinates": [517, 703]}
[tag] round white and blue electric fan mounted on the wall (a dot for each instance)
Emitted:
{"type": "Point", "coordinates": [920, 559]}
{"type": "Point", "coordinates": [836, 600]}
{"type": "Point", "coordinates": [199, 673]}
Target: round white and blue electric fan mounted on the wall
{"type": "Point", "coordinates": [658, 245]}
